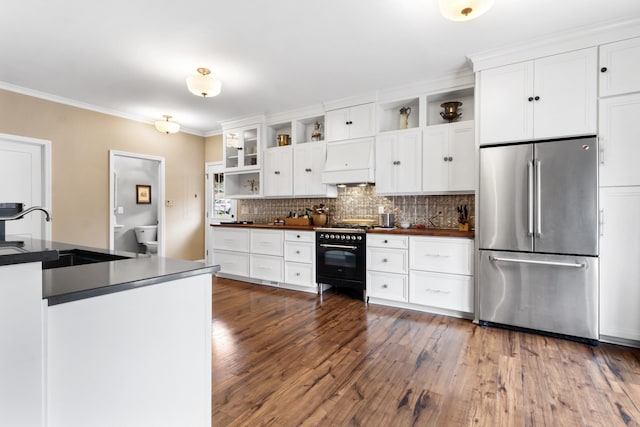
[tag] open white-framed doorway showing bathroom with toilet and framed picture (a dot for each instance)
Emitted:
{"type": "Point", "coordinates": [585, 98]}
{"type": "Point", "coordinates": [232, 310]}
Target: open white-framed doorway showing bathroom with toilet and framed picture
{"type": "Point", "coordinates": [136, 198]}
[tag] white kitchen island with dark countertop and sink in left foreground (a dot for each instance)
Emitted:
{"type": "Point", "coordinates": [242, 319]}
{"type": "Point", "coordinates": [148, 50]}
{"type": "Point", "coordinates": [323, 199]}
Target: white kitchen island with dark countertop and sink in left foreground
{"type": "Point", "coordinates": [115, 342]}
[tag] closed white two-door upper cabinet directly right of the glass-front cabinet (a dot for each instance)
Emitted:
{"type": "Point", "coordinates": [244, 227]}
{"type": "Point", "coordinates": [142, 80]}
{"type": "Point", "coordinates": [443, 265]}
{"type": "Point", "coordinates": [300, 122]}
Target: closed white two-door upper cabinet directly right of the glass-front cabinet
{"type": "Point", "coordinates": [278, 172]}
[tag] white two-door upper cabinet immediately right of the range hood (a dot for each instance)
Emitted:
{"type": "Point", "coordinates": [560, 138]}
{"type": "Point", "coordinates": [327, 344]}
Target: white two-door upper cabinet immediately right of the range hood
{"type": "Point", "coordinates": [399, 162]}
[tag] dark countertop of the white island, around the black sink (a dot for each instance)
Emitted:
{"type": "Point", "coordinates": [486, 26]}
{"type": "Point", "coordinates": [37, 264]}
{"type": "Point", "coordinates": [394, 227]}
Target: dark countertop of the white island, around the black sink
{"type": "Point", "coordinates": [66, 284]}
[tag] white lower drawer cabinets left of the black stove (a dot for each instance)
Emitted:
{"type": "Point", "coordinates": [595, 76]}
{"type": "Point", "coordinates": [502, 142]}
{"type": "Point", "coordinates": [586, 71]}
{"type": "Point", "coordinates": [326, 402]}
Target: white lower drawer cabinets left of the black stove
{"type": "Point", "coordinates": [274, 257]}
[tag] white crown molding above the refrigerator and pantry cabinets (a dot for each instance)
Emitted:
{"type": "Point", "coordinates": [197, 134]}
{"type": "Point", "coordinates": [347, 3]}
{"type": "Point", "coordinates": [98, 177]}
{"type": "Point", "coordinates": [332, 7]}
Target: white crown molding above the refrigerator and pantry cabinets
{"type": "Point", "coordinates": [553, 44]}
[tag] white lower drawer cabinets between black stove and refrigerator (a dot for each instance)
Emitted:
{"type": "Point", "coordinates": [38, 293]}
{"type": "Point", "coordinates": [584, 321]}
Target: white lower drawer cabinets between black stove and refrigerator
{"type": "Point", "coordinates": [424, 273]}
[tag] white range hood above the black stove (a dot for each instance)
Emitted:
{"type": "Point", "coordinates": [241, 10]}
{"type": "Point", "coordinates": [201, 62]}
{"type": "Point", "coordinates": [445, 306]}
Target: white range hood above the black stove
{"type": "Point", "coordinates": [349, 162]}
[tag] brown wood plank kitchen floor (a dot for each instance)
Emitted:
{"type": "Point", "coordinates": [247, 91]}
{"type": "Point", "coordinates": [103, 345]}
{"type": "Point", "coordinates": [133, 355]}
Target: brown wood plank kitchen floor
{"type": "Point", "coordinates": [286, 358]}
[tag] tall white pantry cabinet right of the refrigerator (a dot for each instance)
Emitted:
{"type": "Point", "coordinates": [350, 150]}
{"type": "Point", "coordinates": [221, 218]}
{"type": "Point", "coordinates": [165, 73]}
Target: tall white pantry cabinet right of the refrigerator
{"type": "Point", "coordinates": [619, 134]}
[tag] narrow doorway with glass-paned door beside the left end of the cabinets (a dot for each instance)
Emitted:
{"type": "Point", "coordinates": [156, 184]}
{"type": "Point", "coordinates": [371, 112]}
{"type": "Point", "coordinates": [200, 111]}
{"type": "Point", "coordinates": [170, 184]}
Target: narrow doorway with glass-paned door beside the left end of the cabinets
{"type": "Point", "coordinates": [218, 208]}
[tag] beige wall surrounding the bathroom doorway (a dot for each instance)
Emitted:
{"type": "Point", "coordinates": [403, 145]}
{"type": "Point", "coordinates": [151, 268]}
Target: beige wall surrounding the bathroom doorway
{"type": "Point", "coordinates": [80, 141]}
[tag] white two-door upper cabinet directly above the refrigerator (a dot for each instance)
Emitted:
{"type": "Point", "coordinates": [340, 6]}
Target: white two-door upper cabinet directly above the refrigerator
{"type": "Point", "coordinates": [550, 97]}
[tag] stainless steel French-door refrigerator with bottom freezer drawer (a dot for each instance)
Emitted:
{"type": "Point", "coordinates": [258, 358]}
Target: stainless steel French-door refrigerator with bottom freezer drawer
{"type": "Point", "coordinates": [538, 236]}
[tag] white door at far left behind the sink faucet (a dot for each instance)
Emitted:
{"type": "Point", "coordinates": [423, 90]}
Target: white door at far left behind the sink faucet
{"type": "Point", "coordinates": [24, 178]}
